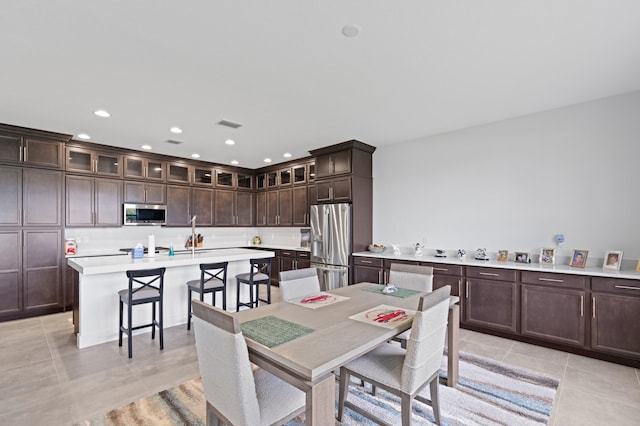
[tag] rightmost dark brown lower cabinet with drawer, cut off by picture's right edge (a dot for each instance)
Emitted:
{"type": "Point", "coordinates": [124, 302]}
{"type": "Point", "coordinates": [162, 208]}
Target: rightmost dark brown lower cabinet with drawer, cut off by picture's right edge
{"type": "Point", "coordinates": [615, 316]}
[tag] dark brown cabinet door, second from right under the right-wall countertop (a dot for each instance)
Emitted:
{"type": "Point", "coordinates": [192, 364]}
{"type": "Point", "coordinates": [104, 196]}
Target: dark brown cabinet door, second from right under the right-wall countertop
{"type": "Point", "coordinates": [553, 314]}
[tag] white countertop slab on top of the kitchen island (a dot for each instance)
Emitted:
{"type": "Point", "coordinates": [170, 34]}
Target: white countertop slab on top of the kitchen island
{"type": "Point", "coordinates": [108, 264]}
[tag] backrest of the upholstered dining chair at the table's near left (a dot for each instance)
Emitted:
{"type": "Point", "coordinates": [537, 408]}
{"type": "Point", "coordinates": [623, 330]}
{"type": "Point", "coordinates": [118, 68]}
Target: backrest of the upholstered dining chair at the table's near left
{"type": "Point", "coordinates": [225, 369]}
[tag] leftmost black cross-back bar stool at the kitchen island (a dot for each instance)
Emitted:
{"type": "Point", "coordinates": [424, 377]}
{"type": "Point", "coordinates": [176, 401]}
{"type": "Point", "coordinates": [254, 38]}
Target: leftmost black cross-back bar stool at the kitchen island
{"type": "Point", "coordinates": [151, 283]}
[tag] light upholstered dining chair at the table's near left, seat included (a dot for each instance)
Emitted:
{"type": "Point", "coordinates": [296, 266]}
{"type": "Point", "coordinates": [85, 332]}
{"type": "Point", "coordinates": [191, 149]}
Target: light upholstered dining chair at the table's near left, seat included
{"type": "Point", "coordinates": [236, 393]}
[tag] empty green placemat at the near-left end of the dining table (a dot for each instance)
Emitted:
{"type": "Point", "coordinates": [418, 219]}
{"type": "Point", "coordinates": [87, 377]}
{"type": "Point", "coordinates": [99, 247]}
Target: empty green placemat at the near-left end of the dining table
{"type": "Point", "coordinates": [272, 331]}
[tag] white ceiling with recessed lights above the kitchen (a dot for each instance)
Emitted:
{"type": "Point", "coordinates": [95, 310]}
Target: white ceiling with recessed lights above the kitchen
{"type": "Point", "coordinates": [284, 70]}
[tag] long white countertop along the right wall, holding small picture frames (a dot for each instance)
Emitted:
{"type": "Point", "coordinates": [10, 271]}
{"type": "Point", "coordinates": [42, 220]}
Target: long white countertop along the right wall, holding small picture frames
{"type": "Point", "coordinates": [561, 269]}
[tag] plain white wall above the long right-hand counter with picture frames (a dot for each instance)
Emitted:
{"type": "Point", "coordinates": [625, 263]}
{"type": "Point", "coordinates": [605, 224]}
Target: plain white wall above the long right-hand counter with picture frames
{"type": "Point", "coordinates": [517, 183]}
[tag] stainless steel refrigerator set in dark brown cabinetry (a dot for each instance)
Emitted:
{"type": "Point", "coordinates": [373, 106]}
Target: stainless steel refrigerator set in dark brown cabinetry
{"type": "Point", "coordinates": [331, 243]}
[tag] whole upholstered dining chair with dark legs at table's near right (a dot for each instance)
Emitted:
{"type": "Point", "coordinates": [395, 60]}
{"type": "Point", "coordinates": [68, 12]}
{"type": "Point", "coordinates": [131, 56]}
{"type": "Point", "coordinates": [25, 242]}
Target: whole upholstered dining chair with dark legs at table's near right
{"type": "Point", "coordinates": [405, 372]}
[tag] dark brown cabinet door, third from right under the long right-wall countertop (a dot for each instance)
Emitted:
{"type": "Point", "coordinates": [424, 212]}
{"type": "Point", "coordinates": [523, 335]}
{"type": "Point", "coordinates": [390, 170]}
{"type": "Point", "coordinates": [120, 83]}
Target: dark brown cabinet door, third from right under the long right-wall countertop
{"type": "Point", "coordinates": [491, 304]}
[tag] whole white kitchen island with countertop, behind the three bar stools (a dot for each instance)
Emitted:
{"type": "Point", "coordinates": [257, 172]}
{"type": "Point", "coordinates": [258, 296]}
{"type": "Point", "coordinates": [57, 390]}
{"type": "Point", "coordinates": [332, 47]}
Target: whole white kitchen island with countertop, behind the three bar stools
{"type": "Point", "coordinates": [101, 277]}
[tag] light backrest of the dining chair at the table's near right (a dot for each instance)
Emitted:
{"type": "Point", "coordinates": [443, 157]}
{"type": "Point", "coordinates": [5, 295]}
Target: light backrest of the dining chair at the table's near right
{"type": "Point", "coordinates": [425, 345]}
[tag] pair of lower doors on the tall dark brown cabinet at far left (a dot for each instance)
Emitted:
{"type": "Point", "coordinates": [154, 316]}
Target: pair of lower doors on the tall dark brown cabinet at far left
{"type": "Point", "coordinates": [30, 274]}
